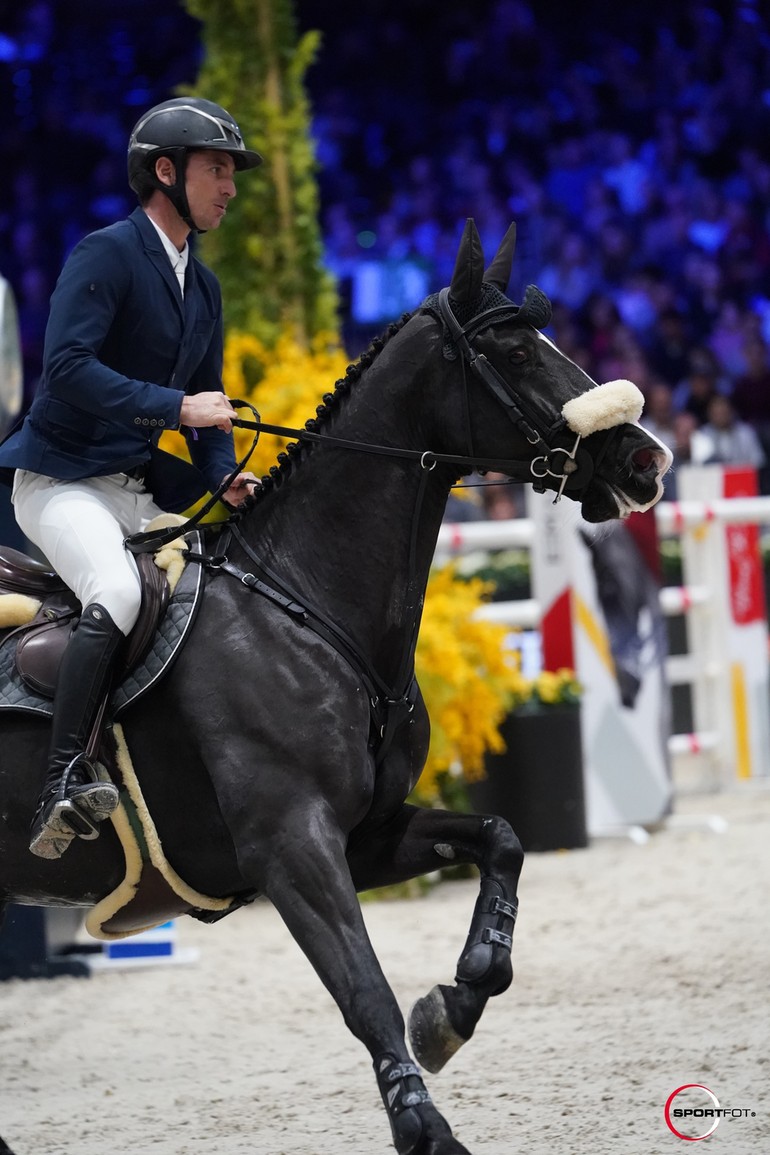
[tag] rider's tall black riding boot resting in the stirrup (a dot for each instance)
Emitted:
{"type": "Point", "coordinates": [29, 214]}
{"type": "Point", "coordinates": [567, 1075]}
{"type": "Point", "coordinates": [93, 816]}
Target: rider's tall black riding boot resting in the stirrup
{"type": "Point", "coordinates": [74, 801]}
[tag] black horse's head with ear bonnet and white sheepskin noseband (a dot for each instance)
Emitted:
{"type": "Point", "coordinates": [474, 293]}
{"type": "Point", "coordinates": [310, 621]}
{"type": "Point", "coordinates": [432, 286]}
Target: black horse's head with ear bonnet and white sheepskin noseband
{"type": "Point", "coordinates": [575, 437]}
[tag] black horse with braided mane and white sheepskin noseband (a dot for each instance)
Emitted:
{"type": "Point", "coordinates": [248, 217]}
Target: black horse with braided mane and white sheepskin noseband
{"type": "Point", "coordinates": [282, 747]}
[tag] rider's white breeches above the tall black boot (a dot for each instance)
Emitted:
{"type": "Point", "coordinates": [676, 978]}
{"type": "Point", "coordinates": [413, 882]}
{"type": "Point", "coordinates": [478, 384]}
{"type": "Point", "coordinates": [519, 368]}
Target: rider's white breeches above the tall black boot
{"type": "Point", "coordinates": [80, 528]}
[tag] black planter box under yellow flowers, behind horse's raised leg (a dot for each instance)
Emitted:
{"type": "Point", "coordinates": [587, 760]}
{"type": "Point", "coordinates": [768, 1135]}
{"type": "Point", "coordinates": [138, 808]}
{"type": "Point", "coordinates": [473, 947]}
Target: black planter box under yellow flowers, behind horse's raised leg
{"type": "Point", "coordinates": [537, 784]}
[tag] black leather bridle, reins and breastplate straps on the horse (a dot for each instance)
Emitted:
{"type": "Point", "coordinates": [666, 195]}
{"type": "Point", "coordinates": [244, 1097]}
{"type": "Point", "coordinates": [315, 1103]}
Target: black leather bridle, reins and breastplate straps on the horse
{"type": "Point", "coordinates": [391, 705]}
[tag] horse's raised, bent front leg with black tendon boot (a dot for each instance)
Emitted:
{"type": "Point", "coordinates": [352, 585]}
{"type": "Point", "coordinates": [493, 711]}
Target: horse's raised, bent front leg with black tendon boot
{"type": "Point", "coordinates": [415, 843]}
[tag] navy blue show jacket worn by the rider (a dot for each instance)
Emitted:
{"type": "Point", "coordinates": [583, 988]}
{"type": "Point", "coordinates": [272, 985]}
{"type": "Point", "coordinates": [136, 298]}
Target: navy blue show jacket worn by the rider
{"type": "Point", "coordinates": [122, 351]}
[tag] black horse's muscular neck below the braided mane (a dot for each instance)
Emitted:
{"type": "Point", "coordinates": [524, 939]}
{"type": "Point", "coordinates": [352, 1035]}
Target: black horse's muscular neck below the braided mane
{"type": "Point", "coordinates": [354, 532]}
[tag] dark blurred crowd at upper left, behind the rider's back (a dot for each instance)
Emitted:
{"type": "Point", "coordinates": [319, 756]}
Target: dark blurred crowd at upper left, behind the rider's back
{"type": "Point", "coordinates": [74, 78]}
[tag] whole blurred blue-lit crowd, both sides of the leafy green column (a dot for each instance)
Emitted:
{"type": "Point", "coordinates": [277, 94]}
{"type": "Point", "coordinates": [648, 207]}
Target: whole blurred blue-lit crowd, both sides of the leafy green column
{"type": "Point", "coordinates": [631, 145]}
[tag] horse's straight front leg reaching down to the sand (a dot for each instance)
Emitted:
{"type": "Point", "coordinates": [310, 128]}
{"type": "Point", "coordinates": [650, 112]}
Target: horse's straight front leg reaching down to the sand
{"type": "Point", "coordinates": [309, 882]}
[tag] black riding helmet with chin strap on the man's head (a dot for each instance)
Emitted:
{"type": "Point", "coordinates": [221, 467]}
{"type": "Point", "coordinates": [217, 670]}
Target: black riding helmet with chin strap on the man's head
{"type": "Point", "coordinates": [174, 129]}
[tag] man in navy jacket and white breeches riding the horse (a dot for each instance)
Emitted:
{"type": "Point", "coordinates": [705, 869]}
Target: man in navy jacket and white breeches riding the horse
{"type": "Point", "coordinates": [134, 346]}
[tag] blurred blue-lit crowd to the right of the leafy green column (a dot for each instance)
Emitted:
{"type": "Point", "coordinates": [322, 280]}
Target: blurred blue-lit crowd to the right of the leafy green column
{"type": "Point", "coordinates": [633, 151]}
